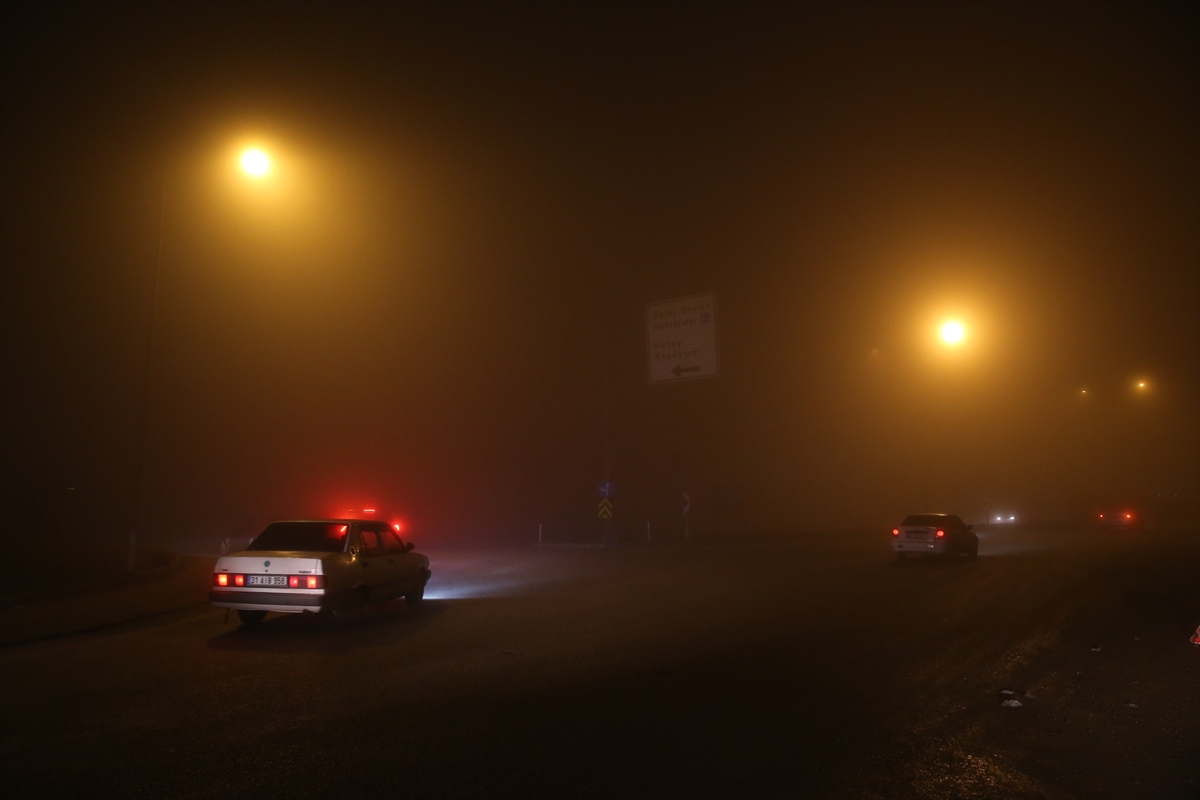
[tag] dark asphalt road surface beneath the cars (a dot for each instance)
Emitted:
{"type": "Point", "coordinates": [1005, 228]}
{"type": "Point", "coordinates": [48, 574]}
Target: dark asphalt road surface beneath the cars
{"type": "Point", "coordinates": [801, 669]}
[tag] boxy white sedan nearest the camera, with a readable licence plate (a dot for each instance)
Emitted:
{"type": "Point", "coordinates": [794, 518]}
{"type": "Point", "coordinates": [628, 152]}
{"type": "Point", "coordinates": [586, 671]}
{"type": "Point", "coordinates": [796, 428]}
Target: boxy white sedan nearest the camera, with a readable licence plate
{"type": "Point", "coordinates": [320, 566]}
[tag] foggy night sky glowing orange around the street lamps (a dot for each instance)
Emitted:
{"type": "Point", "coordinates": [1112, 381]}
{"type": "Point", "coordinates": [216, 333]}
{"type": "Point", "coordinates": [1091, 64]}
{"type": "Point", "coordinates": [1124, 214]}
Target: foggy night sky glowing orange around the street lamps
{"type": "Point", "coordinates": [436, 306]}
